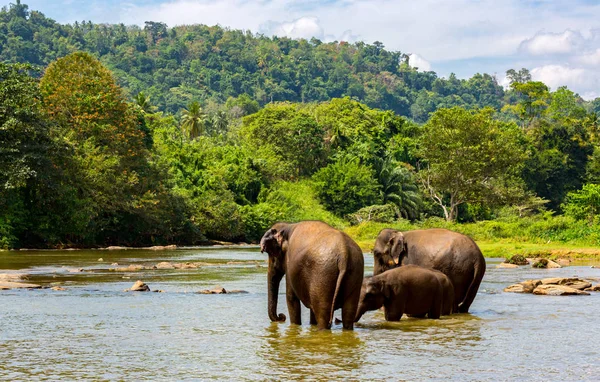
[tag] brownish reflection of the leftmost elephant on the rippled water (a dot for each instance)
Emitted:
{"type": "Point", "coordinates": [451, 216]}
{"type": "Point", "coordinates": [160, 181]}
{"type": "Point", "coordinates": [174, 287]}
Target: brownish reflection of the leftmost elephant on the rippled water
{"type": "Point", "coordinates": [298, 352]}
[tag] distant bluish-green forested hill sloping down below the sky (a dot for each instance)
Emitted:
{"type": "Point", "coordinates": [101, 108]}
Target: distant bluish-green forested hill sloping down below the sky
{"type": "Point", "coordinates": [174, 66]}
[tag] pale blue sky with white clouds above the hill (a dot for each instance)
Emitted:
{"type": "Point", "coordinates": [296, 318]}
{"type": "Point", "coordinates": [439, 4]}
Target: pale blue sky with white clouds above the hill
{"type": "Point", "coordinates": [557, 40]}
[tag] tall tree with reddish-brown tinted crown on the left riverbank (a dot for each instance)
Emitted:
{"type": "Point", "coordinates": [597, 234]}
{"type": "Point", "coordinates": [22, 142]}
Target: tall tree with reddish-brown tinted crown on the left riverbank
{"type": "Point", "coordinates": [107, 165]}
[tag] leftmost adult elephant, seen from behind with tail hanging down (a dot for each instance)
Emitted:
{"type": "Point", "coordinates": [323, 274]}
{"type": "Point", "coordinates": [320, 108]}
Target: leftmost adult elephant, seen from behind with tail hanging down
{"type": "Point", "coordinates": [324, 270]}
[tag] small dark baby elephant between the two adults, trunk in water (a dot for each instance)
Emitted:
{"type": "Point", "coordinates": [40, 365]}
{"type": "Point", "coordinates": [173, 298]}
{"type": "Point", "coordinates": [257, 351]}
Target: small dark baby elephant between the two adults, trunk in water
{"type": "Point", "coordinates": [410, 289]}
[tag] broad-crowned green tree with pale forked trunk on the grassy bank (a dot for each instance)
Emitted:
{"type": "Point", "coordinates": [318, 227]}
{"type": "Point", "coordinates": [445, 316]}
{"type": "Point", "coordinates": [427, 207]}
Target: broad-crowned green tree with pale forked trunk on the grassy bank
{"type": "Point", "coordinates": [467, 156]}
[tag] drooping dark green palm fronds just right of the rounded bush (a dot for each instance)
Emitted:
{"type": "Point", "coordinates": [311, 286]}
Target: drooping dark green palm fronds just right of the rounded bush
{"type": "Point", "coordinates": [398, 187]}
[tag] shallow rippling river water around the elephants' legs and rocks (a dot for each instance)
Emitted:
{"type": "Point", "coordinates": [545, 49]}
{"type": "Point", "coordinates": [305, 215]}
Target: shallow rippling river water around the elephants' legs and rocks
{"type": "Point", "coordinates": [94, 330]}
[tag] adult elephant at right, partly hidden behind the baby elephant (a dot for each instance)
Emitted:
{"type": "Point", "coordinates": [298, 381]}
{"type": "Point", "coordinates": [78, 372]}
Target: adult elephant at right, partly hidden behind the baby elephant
{"type": "Point", "coordinates": [451, 253]}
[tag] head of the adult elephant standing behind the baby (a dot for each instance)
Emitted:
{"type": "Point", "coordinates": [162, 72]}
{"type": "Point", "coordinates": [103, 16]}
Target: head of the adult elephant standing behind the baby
{"type": "Point", "coordinates": [390, 249]}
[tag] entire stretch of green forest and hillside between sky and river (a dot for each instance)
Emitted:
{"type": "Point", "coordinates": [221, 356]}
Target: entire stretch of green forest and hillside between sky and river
{"type": "Point", "coordinates": [81, 166]}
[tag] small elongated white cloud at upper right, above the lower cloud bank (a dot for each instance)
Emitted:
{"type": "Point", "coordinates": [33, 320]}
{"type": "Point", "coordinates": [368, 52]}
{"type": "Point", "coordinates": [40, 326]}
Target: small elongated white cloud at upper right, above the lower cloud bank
{"type": "Point", "coordinates": [553, 43]}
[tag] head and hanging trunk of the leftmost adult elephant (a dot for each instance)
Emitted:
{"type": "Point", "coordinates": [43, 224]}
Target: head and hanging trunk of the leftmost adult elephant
{"type": "Point", "coordinates": [274, 242]}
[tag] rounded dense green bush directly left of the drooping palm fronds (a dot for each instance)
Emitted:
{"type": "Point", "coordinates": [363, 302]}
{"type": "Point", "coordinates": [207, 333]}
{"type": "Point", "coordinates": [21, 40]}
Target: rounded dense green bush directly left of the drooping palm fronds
{"type": "Point", "coordinates": [346, 186]}
